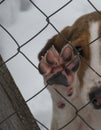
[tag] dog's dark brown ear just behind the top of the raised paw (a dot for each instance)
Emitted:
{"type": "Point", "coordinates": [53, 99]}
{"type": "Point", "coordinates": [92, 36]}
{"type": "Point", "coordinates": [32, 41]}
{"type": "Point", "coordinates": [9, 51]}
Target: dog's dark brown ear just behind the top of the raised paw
{"type": "Point", "coordinates": [58, 41]}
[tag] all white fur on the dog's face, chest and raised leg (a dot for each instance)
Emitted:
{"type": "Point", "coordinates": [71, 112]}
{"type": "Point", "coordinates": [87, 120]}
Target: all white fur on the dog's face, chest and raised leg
{"type": "Point", "coordinates": [80, 97]}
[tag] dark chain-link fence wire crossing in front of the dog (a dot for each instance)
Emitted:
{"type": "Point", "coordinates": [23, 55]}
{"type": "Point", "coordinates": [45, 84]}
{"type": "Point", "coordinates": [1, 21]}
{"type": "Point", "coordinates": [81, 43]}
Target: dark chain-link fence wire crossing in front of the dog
{"type": "Point", "coordinates": [48, 22]}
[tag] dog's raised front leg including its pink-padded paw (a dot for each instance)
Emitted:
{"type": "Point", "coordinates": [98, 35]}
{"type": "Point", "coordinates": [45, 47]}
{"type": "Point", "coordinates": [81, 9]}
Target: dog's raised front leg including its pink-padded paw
{"type": "Point", "coordinates": [59, 72]}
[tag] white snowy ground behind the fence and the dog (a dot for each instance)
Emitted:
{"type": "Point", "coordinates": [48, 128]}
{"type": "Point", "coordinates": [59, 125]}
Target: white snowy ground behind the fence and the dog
{"type": "Point", "coordinates": [28, 24]}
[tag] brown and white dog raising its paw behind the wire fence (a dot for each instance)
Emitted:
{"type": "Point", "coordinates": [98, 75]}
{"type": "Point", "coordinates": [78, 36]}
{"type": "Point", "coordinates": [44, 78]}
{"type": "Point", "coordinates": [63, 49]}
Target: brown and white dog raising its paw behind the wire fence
{"type": "Point", "coordinates": [70, 63]}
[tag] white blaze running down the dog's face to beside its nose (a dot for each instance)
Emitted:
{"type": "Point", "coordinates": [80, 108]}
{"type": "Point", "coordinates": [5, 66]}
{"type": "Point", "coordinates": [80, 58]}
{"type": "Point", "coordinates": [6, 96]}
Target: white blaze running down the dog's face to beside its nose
{"type": "Point", "coordinates": [91, 78]}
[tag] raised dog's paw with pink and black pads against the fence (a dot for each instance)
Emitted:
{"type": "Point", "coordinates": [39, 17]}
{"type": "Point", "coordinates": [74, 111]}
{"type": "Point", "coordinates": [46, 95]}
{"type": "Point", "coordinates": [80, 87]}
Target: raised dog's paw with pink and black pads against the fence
{"type": "Point", "coordinates": [59, 68]}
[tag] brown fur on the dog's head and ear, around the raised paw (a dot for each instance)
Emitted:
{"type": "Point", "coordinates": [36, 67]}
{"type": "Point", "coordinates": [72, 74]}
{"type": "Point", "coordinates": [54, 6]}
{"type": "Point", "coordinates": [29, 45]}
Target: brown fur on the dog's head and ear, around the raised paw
{"type": "Point", "coordinates": [79, 36]}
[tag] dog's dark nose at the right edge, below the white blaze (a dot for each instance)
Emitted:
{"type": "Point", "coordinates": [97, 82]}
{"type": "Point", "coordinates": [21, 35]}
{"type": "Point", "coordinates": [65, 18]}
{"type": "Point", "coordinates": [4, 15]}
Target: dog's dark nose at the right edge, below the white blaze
{"type": "Point", "coordinates": [95, 97]}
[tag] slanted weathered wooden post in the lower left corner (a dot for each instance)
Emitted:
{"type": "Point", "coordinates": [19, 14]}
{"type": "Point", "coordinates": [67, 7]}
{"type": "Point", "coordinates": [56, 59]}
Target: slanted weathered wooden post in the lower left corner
{"type": "Point", "coordinates": [13, 104]}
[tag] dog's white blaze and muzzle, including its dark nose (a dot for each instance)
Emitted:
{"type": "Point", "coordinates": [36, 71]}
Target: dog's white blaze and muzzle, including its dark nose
{"type": "Point", "coordinates": [91, 87]}
